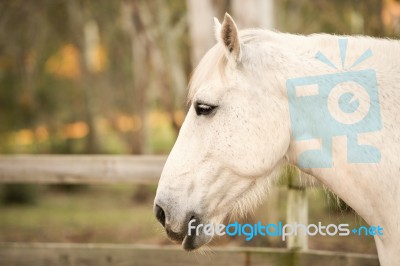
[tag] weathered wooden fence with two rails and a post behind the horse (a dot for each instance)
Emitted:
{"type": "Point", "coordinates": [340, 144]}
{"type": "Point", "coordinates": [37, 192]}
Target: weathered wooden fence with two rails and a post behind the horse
{"type": "Point", "coordinates": [82, 169]}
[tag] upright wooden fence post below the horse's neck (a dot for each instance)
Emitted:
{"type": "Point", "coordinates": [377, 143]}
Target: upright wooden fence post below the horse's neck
{"type": "Point", "coordinates": [297, 211]}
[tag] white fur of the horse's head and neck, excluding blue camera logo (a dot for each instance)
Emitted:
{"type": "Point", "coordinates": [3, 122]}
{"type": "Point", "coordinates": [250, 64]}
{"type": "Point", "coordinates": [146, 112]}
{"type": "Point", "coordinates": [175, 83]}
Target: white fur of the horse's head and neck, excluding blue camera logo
{"type": "Point", "coordinates": [224, 162]}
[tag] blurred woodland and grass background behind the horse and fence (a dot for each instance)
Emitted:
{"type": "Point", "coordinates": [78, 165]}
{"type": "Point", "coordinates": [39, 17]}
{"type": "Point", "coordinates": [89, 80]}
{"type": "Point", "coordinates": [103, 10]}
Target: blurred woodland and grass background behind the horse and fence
{"type": "Point", "coordinates": [110, 77]}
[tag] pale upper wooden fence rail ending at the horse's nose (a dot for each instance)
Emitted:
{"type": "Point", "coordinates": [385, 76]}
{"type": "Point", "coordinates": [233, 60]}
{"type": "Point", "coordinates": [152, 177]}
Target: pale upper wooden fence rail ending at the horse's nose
{"type": "Point", "coordinates": [76, 169]}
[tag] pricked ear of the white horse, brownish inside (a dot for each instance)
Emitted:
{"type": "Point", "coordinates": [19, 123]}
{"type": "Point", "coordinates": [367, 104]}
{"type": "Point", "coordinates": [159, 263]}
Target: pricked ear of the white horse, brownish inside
{"type": "Point", "coordinates": [229, 37]}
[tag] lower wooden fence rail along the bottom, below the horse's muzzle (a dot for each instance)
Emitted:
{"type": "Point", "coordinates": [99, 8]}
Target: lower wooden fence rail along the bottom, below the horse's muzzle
{"type": "Point", "coordinates": [57, 254]}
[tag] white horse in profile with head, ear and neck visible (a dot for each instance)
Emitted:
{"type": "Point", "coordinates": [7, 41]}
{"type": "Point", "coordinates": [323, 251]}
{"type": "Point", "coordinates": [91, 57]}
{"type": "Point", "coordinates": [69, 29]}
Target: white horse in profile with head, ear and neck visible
{"type": "Point", "coordinates": [239, 130]}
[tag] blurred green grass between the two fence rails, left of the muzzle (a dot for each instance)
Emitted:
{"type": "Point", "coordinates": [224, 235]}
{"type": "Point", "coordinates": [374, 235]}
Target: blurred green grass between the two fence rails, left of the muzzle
{"type": "Point", "coordinates": [99, 214]}
